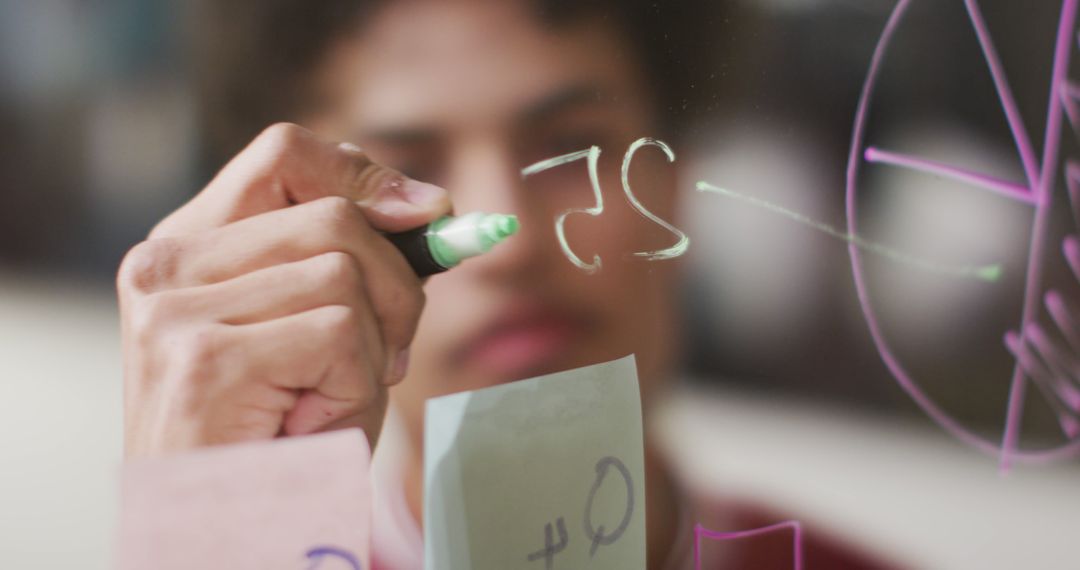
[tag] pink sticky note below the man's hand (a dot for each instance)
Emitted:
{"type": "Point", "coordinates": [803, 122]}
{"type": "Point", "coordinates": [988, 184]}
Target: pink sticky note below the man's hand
{"type": "Point", "coordinates": [301, 504]}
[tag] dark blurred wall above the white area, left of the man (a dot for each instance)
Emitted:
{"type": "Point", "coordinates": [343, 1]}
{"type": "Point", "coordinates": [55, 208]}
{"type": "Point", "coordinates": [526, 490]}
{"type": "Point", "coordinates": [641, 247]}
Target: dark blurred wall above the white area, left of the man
{"type": "Point", "coordinates": [98, 119]}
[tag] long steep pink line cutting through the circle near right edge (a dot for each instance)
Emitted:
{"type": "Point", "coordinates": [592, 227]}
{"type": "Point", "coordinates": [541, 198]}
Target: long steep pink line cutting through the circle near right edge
{"type": "Point", "coordinates": [1047, 177]}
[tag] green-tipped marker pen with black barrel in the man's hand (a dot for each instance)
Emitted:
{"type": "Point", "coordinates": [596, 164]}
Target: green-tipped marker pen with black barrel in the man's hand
{"type": "Point", "coordinates": [450, 240]}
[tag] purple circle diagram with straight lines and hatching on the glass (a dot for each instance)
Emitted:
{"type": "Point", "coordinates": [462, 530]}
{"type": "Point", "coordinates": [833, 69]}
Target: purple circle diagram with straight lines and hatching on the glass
{"type": "Point", "coordinates": [1037, 359]}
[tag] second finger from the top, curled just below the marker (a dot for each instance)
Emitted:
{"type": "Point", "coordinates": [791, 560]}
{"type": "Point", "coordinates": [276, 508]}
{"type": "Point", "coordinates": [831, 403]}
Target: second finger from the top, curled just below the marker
{"type": "Point", "coordinates": [312, 230]}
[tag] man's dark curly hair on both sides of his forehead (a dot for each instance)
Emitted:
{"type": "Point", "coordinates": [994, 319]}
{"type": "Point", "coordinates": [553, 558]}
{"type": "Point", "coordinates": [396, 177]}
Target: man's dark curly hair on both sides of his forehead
{"type": "Point", "coordinates": [253, 58]}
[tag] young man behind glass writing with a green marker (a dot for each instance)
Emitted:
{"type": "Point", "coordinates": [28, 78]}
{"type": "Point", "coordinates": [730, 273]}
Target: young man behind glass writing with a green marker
{"type": "Point", "coordinates": [271, 305]}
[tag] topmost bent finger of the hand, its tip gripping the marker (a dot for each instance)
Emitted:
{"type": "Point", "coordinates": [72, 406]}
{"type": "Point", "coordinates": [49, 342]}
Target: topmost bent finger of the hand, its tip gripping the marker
{"type": "Point", "coordinates": [288, 166]}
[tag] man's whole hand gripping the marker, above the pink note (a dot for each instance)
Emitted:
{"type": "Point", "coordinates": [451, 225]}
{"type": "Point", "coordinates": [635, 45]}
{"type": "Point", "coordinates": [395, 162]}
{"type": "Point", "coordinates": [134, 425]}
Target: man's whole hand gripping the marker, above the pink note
{"type": "Point", "coordinates": [269, 305]}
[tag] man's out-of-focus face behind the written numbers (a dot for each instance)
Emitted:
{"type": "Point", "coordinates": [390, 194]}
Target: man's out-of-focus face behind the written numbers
{"type": "Point", "coordinates": [465, 94]}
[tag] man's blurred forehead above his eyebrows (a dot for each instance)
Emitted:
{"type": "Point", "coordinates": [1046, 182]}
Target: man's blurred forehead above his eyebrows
{"type": "Point", "coordinates": [424, 73]}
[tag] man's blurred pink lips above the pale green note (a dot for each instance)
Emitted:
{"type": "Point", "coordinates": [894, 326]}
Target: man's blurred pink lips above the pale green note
{"type": "Point", "coordinates": [522, 344]}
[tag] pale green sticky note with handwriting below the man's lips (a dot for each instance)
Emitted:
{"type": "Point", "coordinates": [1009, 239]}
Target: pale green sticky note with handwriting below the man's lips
{"type": "Point", "coordinates": [545, 474]}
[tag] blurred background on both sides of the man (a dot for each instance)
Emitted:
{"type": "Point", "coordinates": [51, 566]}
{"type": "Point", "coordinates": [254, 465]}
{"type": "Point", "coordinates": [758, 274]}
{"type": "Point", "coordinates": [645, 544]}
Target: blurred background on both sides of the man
{"type": "Point", "coordinates": [105, 131]}
